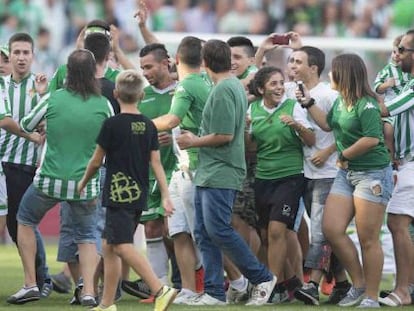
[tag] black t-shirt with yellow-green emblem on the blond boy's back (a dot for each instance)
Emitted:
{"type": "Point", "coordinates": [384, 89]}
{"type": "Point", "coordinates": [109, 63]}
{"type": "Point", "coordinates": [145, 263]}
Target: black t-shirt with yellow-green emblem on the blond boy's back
{"type": "Point", "coordinates": [128, 140]}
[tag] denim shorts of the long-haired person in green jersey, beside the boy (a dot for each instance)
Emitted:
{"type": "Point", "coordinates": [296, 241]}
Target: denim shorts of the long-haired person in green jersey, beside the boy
{"type": "Point", "coordinates": [35, 204]}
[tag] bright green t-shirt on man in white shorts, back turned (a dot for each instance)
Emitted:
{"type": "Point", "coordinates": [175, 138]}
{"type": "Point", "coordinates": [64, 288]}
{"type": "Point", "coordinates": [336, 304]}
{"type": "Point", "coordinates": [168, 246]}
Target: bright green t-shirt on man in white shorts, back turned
{"type": "Point", "coordinates": [187, 104]}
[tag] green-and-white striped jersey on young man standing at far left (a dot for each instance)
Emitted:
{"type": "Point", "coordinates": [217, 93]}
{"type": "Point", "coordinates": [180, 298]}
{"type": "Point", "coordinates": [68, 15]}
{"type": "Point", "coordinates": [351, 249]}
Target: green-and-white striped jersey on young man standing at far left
{"type": "Point", "coordinates": [21, 97]}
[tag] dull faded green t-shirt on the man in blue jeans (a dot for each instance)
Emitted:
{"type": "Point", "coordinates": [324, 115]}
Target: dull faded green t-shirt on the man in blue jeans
{"type": "Point", "coordinates": [224, 113]}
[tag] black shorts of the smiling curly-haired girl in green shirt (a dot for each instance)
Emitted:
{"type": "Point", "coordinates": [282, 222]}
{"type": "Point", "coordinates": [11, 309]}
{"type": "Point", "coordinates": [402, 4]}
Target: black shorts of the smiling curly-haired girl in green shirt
{"type": "Point", "coordinates": [278, 200]}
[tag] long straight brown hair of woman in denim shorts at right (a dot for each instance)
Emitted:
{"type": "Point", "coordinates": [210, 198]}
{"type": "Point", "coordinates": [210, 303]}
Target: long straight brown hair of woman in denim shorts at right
{"type": "Point", "coordinates": [350, 75]}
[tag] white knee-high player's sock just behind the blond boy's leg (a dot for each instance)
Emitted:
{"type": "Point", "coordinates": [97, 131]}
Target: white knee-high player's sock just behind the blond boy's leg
{"type": "Point", "coordinates": [158, 258]}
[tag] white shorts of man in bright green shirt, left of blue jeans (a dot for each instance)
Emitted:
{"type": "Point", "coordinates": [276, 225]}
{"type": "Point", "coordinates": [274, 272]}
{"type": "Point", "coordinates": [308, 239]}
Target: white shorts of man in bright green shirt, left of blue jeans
{"type": "Point", "coordinates": [182, 192]}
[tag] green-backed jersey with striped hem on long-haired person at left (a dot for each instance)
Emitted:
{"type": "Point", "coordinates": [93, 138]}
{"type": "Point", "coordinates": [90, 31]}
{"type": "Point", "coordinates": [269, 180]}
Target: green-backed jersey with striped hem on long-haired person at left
{"type": "Point", "coordinates": [73, 124]}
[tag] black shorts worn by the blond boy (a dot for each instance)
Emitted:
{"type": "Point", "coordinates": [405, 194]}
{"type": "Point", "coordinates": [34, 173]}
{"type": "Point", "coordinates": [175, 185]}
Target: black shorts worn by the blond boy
{"type": "Point", "coordinates": [120, 225]}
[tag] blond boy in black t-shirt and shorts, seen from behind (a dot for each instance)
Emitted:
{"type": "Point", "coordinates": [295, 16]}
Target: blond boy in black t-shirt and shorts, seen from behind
{"type": "Point", "coordinates": [129, 142]}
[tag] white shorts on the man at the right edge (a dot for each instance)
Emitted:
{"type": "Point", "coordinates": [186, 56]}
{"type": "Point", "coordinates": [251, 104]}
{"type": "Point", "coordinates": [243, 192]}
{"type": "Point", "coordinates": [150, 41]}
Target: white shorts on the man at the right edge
{"type": "Point", "coordinates": [401, 202]}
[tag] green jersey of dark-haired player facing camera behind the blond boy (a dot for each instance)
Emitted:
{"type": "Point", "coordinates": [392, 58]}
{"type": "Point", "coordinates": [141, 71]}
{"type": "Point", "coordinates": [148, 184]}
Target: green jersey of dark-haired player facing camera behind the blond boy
{"type": "Point", "coordinates": [157, 103]}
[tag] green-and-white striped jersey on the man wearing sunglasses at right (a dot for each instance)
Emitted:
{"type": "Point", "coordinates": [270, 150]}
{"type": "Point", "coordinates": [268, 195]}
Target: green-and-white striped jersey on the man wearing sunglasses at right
{"type": "Point", "coordinates": [402, 107]}
